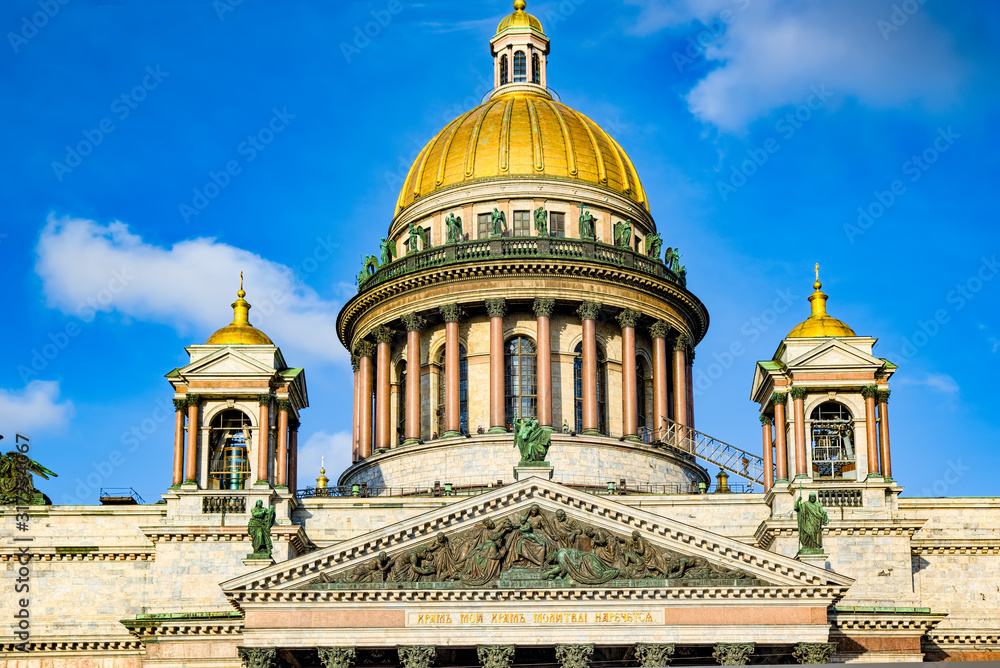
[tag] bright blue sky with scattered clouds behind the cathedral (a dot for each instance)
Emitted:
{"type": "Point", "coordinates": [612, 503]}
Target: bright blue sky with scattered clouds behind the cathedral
{"type": "Point", "coordinates": [151, 150]}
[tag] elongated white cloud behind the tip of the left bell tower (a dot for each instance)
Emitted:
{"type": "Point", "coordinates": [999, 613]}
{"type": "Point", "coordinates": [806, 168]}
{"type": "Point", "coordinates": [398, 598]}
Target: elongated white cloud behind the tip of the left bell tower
{"type": "Point", "coordinates": [87, 268]}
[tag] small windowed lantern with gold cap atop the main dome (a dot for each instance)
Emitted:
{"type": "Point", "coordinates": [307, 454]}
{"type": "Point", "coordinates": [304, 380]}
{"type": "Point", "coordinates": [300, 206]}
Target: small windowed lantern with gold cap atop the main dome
{"type": "Point", "coordinates": [520, 51]}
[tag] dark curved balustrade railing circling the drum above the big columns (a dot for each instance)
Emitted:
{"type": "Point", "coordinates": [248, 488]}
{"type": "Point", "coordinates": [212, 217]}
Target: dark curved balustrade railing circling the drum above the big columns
{"type": "Point", "coordinates": [500, 248]}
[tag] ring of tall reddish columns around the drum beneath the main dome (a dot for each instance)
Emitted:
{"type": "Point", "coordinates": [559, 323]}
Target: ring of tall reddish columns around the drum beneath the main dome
{"type": "Point", "coordinates": [371, 362]}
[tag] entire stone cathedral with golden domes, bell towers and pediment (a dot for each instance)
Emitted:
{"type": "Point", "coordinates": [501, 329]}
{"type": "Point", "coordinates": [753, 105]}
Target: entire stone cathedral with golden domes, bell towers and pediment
{"type": "Point", "coordinates": [528, 485]}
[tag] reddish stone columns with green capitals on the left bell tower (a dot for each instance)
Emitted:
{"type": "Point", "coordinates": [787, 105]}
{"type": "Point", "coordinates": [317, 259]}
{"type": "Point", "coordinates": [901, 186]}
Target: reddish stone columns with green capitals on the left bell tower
{"type": "Point", "coordinates": [185, 469]}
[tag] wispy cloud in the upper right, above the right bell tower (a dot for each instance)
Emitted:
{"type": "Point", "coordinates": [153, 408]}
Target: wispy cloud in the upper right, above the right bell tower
{"type": "Point", "coordinates": [769, 53]}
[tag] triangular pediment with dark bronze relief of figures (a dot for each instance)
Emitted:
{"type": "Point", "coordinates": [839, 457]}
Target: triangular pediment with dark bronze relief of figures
{"type": "Point", "coordinates": [688, 556]}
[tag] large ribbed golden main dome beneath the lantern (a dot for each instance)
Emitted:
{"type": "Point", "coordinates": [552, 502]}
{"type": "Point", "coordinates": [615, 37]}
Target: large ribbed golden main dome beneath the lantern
{"type": "Point", "coordinates": [521, 135]}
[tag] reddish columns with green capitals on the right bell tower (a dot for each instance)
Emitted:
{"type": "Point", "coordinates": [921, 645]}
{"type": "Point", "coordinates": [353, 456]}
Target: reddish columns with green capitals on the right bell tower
{"type": "Point", "coordinates": [876, 425]}
